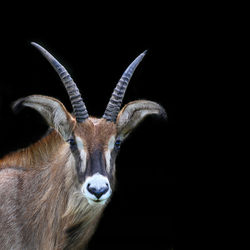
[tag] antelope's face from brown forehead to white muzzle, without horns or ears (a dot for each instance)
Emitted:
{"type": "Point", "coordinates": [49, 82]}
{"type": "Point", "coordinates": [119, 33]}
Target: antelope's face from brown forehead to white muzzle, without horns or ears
{"type": "Point", "coordinates": [94, 148]}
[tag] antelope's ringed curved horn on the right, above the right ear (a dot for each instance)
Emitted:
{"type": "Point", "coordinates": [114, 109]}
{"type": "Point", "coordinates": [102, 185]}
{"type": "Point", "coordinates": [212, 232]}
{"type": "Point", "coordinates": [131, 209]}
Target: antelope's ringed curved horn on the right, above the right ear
{"type": "Point", "coordinates": [115, 101]}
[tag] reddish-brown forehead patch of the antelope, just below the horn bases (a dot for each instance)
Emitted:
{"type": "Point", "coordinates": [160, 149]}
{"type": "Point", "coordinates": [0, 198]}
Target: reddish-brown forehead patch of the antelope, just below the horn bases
{"type": "Point", "coordinates": [95, 132]}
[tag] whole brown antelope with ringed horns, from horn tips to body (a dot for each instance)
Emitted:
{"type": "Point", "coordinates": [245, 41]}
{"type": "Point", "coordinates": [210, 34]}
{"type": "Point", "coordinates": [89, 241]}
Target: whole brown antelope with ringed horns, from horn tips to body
{"type": "Point", "coordinates": [53, 193]}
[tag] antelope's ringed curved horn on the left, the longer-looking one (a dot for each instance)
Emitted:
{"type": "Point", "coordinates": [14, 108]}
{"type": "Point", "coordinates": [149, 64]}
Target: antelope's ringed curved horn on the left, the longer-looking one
{"type": "Point", "coordinates": [77, 103]}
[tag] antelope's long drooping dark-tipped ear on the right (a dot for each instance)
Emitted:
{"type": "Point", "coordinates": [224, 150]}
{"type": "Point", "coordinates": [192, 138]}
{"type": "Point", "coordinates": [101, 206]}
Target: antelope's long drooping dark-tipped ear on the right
{"type": "Point", "coordinates": [133, 113]}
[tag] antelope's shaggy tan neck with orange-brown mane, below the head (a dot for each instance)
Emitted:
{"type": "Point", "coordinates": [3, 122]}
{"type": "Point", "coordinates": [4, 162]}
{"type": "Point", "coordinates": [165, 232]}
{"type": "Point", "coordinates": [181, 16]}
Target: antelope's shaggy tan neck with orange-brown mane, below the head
{"type": "Point", "coordinates": [57, 213]}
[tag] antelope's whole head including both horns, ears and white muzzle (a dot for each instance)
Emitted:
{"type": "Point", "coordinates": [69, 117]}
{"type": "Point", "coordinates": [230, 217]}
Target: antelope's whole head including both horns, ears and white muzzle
{"type": "Point", "coordinates": [94, 143]}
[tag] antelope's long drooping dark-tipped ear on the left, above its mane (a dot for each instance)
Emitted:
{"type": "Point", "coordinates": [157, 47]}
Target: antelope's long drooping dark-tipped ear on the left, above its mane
{"type": "Point", "coordinates": [52, 110]}
